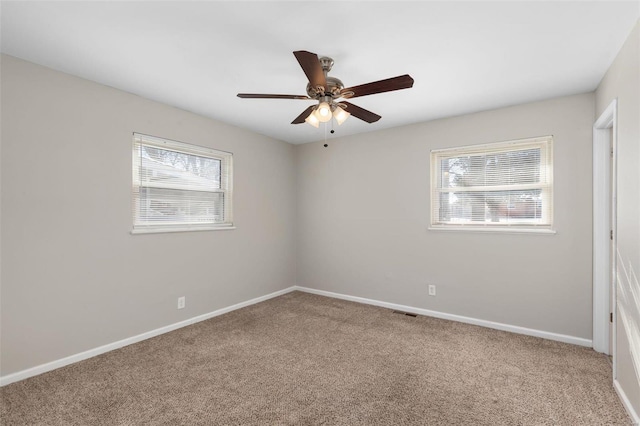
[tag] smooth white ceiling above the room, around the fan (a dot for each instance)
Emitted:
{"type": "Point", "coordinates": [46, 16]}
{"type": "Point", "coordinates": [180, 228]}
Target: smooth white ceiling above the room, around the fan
{"type": "Point", "coordinates": [464, 56]}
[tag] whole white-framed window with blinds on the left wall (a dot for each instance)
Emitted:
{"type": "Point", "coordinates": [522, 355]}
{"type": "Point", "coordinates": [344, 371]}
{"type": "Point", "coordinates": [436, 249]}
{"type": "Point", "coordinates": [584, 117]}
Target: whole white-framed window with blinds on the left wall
{"type": "Point", "coordinates": [180, 187]}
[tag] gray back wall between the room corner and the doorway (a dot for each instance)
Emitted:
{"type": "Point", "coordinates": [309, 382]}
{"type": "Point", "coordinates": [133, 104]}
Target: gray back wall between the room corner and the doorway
{"type": "Point", "coordinates": [363, 213]}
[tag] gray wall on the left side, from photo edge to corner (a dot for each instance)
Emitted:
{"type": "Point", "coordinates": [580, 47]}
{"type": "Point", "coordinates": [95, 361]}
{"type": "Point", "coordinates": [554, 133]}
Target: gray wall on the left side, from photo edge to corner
{"type": "Point", "coordinates": [73, 277]}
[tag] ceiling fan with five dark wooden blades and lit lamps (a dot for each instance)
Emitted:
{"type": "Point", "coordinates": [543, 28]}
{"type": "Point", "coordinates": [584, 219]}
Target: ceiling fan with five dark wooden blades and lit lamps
{"type": "Point", "coordinates": [329, 90]}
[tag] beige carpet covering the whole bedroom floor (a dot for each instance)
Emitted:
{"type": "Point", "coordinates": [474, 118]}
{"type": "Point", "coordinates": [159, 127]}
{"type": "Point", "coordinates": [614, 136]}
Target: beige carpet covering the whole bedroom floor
{"type": "Point", "coordinates": [302, 359]}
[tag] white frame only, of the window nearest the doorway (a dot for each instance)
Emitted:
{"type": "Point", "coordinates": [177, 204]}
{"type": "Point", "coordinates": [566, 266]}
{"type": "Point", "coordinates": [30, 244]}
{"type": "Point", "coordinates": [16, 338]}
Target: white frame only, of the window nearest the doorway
{"type": "Point", "coordinates": [545, 143]}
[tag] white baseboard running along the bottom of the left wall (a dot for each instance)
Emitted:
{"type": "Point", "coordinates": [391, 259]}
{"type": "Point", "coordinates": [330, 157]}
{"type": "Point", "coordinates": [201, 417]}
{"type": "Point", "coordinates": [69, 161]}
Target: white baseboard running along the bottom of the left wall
{"type": "Point", "coordinates": [43, 368]}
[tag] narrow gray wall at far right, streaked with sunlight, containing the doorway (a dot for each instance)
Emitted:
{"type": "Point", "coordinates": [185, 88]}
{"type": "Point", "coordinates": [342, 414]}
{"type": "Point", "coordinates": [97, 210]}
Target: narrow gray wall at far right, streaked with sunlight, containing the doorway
{"type": "Point", "coordinates": [622, 81]}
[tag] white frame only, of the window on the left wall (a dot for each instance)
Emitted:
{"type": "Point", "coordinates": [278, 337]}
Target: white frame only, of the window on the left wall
{"type": "Point", "coordinates": [226, 185]}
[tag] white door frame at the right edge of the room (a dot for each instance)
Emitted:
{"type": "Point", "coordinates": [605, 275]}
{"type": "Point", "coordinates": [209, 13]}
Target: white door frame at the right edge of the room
{"type": "Point", "coordinates": [604, 228]}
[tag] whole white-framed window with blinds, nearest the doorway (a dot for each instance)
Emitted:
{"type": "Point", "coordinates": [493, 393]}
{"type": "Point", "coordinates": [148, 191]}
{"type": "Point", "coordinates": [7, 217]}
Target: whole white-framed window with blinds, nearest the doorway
{"type": "Point", "coordinates": [499, 186]}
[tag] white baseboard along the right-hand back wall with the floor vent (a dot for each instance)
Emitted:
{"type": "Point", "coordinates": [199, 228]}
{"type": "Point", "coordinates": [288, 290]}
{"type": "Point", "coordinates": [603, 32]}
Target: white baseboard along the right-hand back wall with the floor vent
{"type": "Point", "coordinates": [489, 324]}
